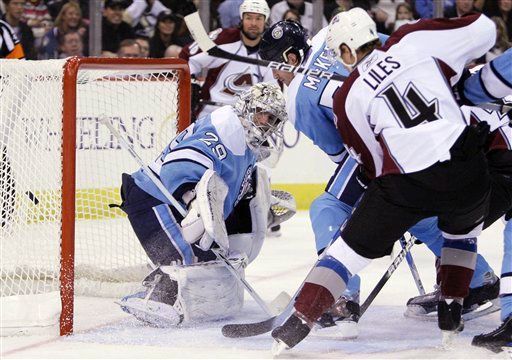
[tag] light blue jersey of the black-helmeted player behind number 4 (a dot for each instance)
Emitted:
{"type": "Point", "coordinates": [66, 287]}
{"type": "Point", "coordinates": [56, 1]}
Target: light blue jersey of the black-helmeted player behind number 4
{"type": "Point", "coordinates": [310, 99]}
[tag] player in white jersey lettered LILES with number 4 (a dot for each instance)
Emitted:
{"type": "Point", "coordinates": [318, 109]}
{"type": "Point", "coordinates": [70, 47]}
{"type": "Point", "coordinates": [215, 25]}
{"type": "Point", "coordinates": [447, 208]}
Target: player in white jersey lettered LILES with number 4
{"type": "Point", "coordinates": [398, 118]}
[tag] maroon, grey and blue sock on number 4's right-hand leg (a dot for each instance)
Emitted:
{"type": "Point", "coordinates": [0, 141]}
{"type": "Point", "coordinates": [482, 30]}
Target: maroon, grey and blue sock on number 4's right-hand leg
{"type": "Point", "coordinates": [458, 260]}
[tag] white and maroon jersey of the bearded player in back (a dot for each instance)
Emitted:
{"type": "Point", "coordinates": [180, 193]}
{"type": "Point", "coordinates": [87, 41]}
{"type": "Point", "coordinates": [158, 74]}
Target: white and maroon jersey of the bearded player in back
{"type": "Point", "coordinates": [224, 78]}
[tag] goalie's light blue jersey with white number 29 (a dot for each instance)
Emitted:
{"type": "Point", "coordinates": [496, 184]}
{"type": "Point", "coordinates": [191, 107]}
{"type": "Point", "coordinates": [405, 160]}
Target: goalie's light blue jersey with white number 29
{"type": "Point", "coordinates": [217, 142]}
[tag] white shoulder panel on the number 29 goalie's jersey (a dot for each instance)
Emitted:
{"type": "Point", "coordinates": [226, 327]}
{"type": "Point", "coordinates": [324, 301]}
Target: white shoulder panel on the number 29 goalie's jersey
{"type": "Point", "coordinates": [230, 129]}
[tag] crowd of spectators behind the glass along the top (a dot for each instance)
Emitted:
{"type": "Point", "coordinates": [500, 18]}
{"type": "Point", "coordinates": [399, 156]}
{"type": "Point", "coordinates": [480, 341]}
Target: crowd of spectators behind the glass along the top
{"type": "Point", "coordinates": [51, 29]}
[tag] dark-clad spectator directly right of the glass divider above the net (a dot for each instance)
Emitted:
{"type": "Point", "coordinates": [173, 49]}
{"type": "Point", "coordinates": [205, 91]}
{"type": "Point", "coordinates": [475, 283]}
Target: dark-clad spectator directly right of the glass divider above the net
{"type": "Point", "coordinates": [114, 29]}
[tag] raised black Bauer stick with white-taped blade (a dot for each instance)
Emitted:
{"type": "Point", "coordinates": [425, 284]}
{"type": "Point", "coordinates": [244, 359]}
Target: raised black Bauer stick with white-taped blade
{"type": "Point", "coordinates": [198, 32]}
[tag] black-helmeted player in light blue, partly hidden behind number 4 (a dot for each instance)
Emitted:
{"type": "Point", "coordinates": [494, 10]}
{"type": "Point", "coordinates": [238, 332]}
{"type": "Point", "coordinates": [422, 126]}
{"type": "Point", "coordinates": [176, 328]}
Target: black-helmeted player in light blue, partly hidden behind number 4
{"type": "Point", "coordinates": [309, 105]}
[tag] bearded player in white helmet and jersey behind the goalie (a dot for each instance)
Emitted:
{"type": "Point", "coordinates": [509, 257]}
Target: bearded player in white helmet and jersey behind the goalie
{"type": "Point", "coordinates": [224, 78]}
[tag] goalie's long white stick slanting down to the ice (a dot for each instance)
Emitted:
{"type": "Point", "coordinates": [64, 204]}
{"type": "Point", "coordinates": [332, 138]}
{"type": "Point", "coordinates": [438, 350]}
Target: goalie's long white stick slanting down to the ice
{"type": "Point", "coordinates": [183, 212]}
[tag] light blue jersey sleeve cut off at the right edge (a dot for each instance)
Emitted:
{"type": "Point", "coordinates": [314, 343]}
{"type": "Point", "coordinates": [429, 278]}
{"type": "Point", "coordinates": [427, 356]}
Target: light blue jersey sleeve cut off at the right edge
{"type": "Point", "coordinates": [492, 82]}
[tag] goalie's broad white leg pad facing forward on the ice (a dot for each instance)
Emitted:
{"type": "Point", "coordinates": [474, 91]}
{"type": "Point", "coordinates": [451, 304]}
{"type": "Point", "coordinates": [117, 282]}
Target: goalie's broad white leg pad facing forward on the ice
{"type": "Point", "coordinates": [208, 291]}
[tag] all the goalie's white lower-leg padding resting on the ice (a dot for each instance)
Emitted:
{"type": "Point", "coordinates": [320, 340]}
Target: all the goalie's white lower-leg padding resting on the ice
{"type": "Point", "coordinates": [204, 291]}
